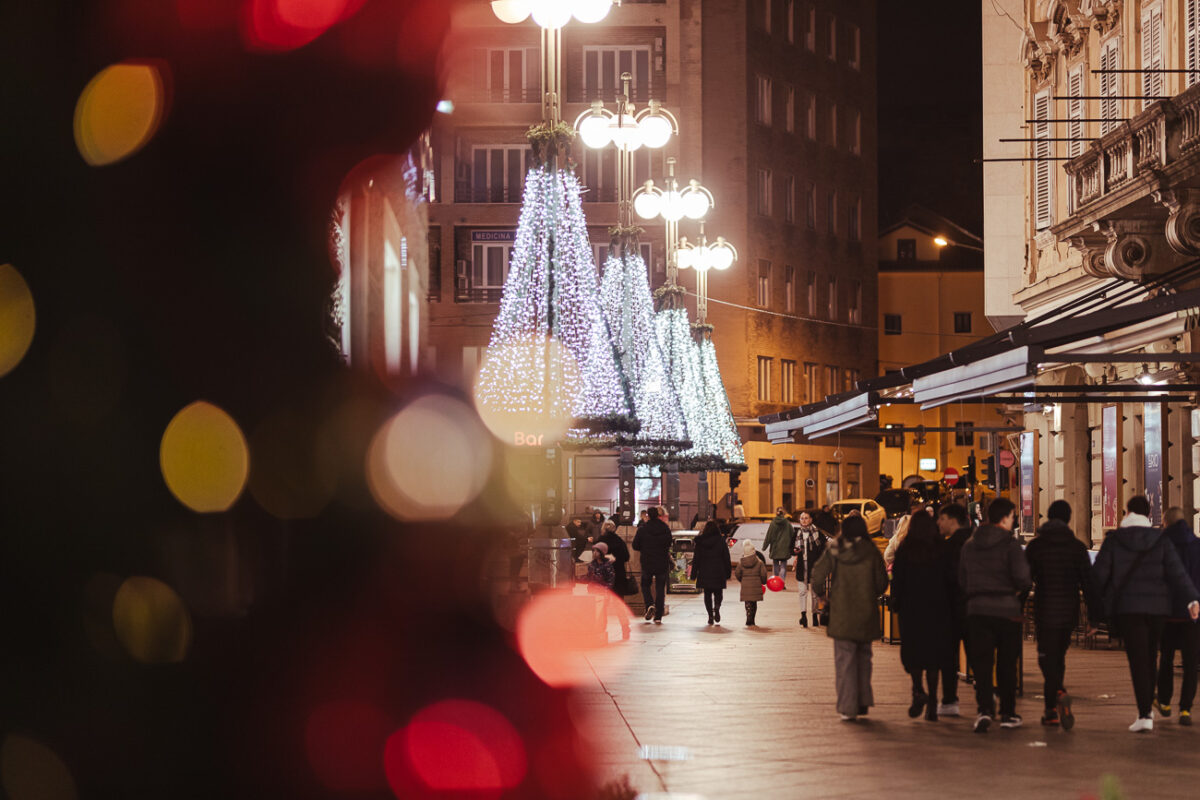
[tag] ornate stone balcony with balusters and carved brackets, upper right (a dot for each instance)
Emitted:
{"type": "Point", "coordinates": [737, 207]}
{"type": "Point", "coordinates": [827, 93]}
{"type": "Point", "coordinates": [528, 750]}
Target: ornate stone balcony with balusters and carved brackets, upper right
{"type": "Point", "coordinates": [1135, 196]}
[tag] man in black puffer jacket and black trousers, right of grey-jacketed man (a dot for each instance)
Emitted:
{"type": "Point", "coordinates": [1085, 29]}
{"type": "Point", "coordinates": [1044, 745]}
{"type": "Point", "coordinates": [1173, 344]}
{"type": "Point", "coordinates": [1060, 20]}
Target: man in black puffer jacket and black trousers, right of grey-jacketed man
{"type": "Point", "coordinates": [1061, 572]}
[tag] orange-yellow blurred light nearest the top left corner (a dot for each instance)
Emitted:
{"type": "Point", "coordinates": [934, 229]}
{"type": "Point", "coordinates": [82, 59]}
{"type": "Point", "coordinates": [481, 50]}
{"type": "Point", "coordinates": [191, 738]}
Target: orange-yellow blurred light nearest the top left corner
{"type": "Point", "coordinates": [121, 111]}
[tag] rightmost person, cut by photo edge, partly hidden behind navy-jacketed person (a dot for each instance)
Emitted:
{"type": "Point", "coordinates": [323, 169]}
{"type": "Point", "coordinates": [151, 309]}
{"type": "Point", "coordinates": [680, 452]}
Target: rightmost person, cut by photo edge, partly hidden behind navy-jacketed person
{"type": "Point", "coordinates": [1180, 634]}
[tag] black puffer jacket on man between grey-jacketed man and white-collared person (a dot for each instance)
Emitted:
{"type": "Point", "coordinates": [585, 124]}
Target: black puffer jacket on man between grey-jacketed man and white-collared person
{"type": "Point", "coordinates": [1061, 570]}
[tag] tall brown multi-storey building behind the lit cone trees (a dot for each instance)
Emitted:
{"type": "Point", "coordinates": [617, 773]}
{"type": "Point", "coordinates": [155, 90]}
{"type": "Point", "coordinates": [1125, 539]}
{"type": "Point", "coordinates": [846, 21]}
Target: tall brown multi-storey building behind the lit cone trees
{"type": "Point", "coordinates": [776, 101]}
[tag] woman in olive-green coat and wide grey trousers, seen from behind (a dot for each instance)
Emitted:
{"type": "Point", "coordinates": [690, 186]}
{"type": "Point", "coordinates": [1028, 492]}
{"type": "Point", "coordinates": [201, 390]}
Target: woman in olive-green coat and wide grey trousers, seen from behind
{"type": "Point", "coordinates": [857, 578]}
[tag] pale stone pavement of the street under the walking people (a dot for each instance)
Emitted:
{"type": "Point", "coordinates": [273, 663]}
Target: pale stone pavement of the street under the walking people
{"type": "Point", "coordinates": [734, 713]}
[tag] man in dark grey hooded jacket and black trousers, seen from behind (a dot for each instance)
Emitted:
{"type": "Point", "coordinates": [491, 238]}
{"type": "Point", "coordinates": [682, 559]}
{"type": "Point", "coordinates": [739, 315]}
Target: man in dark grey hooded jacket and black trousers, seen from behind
{"type": "Point", "coordinates": [995, 576]}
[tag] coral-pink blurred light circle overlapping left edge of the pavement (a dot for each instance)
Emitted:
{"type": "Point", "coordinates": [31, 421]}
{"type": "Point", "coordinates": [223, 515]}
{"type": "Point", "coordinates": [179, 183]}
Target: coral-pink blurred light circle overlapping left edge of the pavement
{"type": "Point", "coordinates": [559, 633]}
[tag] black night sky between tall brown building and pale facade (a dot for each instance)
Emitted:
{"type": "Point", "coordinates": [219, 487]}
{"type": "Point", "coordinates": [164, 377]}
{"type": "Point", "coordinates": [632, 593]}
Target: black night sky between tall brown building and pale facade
{"type": "Point", "coordinates": [931, 110]}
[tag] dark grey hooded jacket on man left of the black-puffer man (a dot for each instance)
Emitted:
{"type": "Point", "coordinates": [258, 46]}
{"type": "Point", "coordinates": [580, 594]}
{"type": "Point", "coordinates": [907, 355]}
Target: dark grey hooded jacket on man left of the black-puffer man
{"type": "Point", "coordinates": [994, 574]}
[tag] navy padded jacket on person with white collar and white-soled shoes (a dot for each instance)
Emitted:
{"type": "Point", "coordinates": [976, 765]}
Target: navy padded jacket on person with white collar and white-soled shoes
{"type": "Point", "coordinates": [1150, 588]}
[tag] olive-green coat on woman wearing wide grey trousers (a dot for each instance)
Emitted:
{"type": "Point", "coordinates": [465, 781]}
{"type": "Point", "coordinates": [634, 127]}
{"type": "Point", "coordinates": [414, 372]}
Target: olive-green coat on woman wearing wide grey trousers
{"type": "Point", "coordinates": [859, 578]}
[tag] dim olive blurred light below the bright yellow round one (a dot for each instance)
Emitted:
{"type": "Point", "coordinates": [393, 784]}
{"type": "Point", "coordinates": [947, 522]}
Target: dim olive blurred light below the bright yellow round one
{"type": "Point", "coordinates": [152, 622]}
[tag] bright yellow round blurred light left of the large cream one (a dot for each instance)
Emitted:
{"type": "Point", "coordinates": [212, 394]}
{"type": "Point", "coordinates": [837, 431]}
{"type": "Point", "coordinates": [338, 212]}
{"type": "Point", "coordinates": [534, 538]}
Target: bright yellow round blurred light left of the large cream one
{"type": "Point", "coordinates": [205, 459]}
